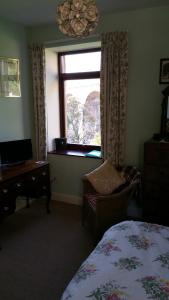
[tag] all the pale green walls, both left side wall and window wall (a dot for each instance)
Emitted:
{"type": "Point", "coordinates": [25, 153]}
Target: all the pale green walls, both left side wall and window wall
{"type": "Point", "coordinates": [148, 42]}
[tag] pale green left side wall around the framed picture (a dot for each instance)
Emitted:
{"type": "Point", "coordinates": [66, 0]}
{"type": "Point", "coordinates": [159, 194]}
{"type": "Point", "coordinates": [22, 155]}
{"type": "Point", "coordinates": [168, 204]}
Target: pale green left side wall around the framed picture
{"type": "Point", "coordinates": [16, 113]}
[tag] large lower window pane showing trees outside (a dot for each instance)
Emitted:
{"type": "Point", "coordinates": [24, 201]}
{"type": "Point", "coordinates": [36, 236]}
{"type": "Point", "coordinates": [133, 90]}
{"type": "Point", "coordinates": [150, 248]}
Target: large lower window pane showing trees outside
{"type": "Point", "coordinates": [82, 105]}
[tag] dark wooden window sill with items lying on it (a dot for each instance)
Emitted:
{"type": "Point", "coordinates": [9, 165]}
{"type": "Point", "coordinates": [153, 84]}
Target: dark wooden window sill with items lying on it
{"type": "Point", "coordinates": [69, 152]}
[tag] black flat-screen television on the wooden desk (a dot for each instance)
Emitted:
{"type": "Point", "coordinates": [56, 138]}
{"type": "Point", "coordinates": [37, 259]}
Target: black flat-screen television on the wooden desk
{"type": "Point", "coordinates": [15, 152]}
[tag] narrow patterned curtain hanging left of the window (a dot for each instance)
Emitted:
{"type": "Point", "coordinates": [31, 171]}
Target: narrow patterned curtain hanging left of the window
{"type": "Point", "coordinates": [38, 75]}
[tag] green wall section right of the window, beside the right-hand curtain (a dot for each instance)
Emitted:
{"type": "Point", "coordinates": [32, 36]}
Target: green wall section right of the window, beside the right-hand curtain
{"type": "Point", "coordinates": [148, 42]}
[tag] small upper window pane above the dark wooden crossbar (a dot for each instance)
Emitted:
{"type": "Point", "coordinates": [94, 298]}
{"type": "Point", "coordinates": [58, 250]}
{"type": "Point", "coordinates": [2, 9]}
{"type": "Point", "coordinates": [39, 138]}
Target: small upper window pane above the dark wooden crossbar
{"type": "Point", "coordinates": [82, 62]}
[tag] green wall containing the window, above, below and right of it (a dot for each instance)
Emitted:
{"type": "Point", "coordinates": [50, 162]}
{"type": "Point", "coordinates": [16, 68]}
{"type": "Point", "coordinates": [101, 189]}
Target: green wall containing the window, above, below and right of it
{"type": "Point", "coordinates": [148, 42]}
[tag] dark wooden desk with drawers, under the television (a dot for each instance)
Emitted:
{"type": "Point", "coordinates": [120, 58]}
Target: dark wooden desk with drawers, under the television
{"type": "Point", "coordinates": [30, 179]}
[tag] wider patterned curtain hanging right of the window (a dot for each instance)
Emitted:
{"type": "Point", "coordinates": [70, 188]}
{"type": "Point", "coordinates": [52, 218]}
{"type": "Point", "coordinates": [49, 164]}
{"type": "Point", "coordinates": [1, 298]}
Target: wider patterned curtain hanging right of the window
{"type": "Point", "coordinates": [114, 77]}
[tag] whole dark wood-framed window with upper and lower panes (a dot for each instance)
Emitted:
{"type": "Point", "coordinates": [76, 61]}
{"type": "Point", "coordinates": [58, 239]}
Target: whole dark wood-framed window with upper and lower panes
{"type": "Point", "coordinates": [79, 91]}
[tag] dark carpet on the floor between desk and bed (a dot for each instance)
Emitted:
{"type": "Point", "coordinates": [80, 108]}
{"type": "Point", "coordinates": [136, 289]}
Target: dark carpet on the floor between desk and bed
{"type": "Point", "coordinates": [41, 252]}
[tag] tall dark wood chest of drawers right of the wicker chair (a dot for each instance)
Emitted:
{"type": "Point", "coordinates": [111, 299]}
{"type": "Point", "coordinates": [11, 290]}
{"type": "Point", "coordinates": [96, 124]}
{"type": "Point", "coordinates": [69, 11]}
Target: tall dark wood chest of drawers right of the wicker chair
{"type": "Point", "coordinates": [156, 182]}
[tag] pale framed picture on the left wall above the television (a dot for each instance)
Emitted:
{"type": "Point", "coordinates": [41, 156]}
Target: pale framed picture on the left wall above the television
{"type": "Point", "coordinates": [9, 77]}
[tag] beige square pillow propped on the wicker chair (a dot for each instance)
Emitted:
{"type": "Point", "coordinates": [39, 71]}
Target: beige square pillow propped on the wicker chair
{"type": "Point", "coordinates": [105, 179]}
